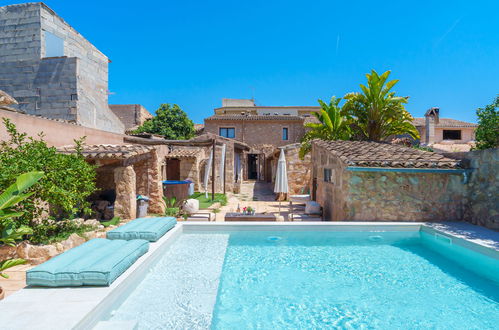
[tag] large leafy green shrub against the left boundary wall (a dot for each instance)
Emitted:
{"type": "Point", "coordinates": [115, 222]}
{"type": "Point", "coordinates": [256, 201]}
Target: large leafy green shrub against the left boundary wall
{"type": "Point", "coordinates": [67, 183]}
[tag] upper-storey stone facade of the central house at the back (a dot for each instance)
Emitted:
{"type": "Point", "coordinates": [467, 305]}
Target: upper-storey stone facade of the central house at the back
{"type": "Point", "coordinates": [259, 132]}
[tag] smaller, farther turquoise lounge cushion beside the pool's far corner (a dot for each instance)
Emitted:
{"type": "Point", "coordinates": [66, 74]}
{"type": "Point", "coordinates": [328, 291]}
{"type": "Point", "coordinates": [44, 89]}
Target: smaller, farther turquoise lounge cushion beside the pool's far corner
{"type": "Point", "coordinates": [150, 229]}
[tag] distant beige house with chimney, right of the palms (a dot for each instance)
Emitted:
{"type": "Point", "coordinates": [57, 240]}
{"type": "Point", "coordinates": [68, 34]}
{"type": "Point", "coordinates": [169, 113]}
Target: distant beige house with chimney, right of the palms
{"type": "Point", "coordinates": [434, 129]}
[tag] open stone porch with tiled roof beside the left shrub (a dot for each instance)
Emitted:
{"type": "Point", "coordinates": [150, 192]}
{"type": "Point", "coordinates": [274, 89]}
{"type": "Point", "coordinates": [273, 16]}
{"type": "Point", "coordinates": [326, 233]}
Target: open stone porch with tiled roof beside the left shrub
{"type": "Point", "coordinates": [123, 172]}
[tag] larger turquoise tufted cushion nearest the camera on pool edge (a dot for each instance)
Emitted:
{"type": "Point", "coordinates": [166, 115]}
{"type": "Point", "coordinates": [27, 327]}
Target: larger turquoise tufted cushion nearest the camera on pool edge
{"type": "Point", "coordinates": [97, 262]}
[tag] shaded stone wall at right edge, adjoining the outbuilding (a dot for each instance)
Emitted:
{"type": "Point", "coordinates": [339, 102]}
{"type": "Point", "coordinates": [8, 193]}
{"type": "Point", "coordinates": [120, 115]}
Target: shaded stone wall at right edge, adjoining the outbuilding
{"type": "Point", "coordinates": [481, 202]}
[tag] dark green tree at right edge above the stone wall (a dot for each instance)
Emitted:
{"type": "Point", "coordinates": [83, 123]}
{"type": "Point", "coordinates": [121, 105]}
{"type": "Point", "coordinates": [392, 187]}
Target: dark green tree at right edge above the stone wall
{"type": "Point", "coordinates": [487, 132]}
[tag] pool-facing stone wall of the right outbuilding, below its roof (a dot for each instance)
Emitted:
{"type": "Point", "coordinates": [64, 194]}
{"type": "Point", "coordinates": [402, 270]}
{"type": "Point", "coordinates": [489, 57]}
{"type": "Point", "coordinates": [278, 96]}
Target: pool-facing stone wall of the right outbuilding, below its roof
{"type": "Point", "coordinates": [396, 196]}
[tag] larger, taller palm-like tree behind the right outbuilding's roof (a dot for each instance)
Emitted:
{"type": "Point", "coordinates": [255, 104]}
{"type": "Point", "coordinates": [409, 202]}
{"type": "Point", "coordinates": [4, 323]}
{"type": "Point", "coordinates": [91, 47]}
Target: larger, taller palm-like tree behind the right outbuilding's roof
{"type": "Point", "coordinates": [376, 113]}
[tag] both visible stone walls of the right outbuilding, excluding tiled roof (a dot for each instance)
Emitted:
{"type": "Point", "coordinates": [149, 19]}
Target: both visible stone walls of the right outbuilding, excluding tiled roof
{"type": "Point", "coordinates": [389, 194]}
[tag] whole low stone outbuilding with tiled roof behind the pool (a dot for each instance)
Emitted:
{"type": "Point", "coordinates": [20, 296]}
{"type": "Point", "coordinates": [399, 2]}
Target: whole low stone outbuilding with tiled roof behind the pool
{"type": "Point", "coordinates": [370, 181]}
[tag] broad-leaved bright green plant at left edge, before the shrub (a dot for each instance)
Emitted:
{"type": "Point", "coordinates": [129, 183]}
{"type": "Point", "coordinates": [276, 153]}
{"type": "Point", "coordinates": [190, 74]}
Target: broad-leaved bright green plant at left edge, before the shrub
{"type": "Point", "coordinates": [9, 233]}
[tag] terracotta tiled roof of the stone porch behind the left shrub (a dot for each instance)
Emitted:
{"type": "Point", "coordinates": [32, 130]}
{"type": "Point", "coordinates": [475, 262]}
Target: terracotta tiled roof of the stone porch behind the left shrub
{"type": "Point", "coordinates": [109, 151]}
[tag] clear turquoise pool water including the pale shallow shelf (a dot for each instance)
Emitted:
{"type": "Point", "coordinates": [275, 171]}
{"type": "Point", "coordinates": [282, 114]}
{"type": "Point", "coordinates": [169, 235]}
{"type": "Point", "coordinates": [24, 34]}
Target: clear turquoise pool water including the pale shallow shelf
{"type": "Point", "coordinates": [311, 280]}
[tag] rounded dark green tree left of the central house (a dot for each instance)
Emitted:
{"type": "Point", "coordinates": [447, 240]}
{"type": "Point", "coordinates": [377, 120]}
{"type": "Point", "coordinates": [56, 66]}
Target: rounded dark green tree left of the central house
{"type": "Point", "coordinates": [171, 122]}
